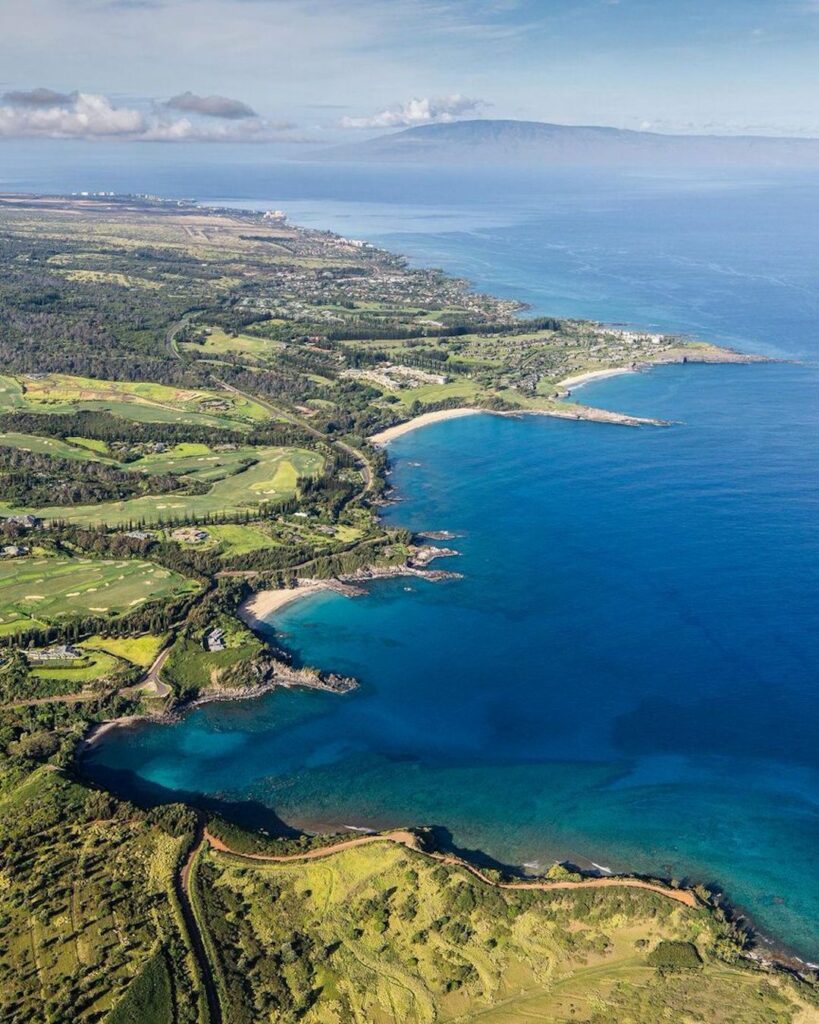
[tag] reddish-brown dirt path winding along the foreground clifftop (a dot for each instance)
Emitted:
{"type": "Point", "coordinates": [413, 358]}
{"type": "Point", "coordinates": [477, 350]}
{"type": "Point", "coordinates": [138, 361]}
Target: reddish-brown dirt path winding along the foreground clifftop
{"type": "Point", "coordinates": [407, 839]}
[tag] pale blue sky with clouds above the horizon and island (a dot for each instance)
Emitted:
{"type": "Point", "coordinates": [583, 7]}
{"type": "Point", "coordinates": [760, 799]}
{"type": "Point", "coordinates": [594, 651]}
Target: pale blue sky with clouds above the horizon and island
{"type": "Point", "coordinates": [320, 71]}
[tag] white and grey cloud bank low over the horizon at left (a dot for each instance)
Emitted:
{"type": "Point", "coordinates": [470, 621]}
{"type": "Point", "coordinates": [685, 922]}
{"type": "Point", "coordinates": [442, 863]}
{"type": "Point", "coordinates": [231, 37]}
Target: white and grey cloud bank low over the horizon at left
{"type": "Point", "coordinates": [45, 113]}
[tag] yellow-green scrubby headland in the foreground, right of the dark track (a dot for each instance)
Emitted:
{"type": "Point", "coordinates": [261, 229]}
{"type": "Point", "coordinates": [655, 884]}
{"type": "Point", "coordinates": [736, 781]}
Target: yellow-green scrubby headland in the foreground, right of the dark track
{"type": "Point", "coordinates": [386, 936]}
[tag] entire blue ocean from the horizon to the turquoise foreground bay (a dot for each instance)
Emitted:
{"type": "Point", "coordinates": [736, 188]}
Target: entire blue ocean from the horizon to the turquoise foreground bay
{"type": "Point", "coordinates": [627, 674]}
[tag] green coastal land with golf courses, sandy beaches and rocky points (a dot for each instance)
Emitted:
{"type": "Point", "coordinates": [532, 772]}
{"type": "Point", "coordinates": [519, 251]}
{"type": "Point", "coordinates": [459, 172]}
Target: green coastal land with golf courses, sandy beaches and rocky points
{"type": "Point", "coordinates": [194, 408]}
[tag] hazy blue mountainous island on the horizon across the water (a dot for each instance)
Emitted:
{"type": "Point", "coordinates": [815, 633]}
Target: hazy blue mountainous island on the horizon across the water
{"type": "Point", "coordinates": [535, 144]}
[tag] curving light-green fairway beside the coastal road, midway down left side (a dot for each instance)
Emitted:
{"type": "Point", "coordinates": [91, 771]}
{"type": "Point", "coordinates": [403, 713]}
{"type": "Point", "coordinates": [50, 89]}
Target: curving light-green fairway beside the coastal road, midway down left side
{"type": "Point", "coordinates": [273, 479]}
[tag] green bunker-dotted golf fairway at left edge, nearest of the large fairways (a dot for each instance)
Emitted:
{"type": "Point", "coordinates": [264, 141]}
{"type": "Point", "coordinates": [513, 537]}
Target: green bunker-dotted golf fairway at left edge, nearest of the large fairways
{"type": "Point", "coordinates": [37, 591]}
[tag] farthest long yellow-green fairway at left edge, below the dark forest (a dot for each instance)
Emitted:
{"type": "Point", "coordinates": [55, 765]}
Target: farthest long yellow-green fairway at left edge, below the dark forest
{"type": "Point", "coordinates": [134, 401]}
